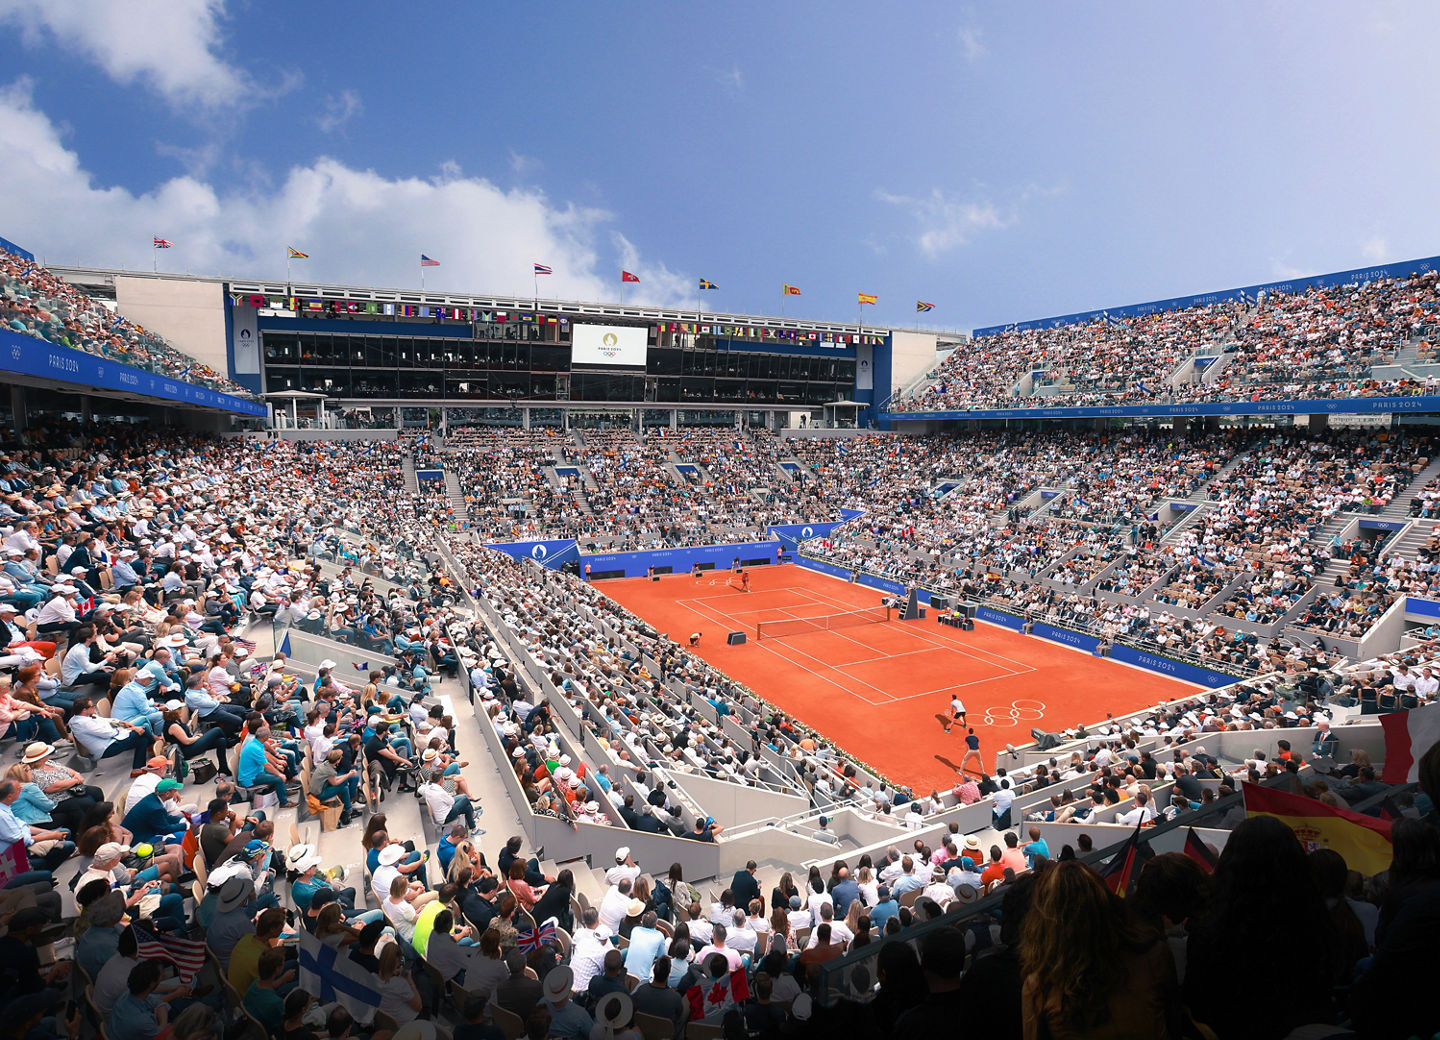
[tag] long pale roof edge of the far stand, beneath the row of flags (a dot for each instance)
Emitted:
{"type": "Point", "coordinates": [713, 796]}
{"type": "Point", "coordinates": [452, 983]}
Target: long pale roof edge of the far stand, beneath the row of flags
{"type": "Point", "coordinates": [96, 276]}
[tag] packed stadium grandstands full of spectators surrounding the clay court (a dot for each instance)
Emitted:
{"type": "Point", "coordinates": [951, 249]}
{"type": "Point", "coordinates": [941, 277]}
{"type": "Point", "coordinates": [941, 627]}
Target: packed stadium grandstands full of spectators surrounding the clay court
{"type": "Point", "coordinates": [328, 725]}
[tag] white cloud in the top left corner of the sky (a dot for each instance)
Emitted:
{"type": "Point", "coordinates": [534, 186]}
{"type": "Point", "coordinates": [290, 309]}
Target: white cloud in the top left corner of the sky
{"type": "Point", "coordinates": [171, 45]}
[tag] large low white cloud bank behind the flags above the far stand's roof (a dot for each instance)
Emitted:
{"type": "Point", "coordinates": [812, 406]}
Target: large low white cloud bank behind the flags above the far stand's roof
{"type": "Point", "coordinates": [358, 227]}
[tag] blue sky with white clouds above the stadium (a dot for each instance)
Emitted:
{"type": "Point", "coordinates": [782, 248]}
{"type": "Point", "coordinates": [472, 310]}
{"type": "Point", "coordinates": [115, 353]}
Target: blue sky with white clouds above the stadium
{"type": "Point", "coordinates": [1003, 162]}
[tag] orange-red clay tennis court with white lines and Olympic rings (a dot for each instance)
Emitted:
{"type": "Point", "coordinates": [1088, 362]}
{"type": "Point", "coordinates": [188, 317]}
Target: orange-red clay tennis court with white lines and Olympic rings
{"type": "Point", "coordinates": [881, 689]}
